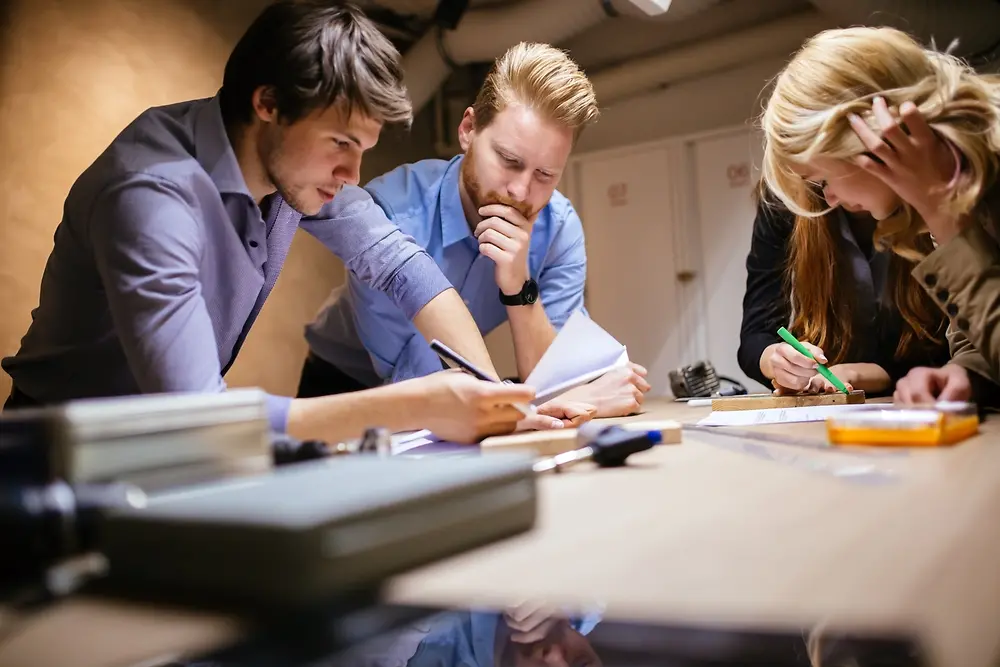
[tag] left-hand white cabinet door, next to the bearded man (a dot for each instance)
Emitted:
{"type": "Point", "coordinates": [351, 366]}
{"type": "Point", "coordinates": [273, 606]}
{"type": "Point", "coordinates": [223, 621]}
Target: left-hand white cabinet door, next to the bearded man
{"type": "Point", "coordinates": [624, 202]}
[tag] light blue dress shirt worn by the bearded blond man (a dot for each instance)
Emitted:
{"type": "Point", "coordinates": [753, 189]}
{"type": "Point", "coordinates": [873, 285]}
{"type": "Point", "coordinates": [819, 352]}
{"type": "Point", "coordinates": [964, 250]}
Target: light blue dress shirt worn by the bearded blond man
{"type": "Point", "coordinates": [423, 200]}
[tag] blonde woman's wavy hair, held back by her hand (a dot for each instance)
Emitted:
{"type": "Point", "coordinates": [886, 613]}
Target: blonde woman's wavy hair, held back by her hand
{"type": "Point", "coordinates": [838, 73]}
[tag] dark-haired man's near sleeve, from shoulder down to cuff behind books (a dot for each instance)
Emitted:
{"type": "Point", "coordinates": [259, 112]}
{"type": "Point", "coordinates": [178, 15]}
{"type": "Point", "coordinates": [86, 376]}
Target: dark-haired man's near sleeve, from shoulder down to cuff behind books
{"type": "Point", "coordinates": [147, 248]}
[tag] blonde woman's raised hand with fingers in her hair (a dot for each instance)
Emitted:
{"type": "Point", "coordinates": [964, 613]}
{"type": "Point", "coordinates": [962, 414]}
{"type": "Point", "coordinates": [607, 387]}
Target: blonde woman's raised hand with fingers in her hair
{"type": "Point", "coordinates": [919, 165]}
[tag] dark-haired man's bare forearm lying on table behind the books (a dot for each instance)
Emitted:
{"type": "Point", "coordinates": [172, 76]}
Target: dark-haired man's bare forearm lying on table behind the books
{"type": "Point", "coordinates": [342, 417]}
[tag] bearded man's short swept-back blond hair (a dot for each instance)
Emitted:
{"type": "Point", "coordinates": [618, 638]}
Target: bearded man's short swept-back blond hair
{"type": "Point", "coordinates": [540, 77]}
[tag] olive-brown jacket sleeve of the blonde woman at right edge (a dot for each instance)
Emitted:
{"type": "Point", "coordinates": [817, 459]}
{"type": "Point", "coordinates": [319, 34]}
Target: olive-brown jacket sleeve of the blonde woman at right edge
{"type": "Point", "coordinates": [963, 278]}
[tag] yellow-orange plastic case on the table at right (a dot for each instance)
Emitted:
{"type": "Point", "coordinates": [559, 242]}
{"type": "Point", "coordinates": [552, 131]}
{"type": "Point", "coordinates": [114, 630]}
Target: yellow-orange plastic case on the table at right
{"type": "Point", "coordinates": [934, 426]}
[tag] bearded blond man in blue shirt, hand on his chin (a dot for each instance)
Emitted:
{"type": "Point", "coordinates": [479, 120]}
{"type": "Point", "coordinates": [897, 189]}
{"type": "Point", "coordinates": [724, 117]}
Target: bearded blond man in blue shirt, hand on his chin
{"type": "Point", "coordinates": [493, 221]}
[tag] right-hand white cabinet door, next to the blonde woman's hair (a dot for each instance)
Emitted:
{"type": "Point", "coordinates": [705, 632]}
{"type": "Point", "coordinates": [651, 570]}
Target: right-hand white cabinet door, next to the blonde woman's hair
{"type": "Point", "coordinates": [726, 170]}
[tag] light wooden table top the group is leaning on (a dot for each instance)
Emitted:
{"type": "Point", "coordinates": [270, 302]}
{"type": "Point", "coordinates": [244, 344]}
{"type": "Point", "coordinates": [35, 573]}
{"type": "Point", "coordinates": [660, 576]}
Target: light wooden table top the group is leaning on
{"type": "Point", "coordinates": [715, 530]}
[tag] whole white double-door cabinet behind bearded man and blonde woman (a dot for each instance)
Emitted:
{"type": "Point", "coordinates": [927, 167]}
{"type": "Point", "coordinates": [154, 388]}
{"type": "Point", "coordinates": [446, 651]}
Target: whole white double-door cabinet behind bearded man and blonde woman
{"type": "Point", "coordinates": [668, 229]}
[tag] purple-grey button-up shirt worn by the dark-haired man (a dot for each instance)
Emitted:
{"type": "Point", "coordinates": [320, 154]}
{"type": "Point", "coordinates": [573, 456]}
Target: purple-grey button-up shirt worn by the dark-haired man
{"type": "Point", "coordinates": [163, 260]}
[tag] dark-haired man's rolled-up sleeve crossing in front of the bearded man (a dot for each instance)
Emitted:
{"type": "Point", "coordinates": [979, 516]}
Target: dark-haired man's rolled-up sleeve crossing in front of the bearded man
{"type": "Point", "coordinates": [374, 250]}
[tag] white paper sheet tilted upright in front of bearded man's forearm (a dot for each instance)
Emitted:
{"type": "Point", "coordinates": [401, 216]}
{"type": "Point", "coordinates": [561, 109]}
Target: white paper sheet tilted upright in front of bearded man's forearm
{"type": "Point", "coordinates": [581, 352]}
